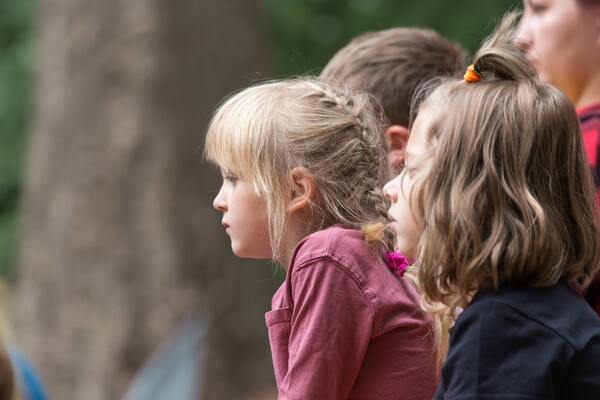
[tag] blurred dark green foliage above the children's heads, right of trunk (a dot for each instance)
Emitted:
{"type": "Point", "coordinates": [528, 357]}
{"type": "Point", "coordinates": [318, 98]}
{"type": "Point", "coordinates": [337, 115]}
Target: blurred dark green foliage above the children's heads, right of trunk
{"type": "Point", "coordinates": [307, 33]}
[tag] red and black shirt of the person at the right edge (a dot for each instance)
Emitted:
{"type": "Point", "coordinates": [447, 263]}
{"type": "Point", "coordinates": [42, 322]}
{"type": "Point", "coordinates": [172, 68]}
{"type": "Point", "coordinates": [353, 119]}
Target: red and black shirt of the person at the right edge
{"type": "Point", "coordinates": [590, 127]}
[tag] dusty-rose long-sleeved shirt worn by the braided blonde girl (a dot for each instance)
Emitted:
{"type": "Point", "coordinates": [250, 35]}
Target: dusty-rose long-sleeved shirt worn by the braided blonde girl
{"type": "Point", "coordinates": [342, 326]}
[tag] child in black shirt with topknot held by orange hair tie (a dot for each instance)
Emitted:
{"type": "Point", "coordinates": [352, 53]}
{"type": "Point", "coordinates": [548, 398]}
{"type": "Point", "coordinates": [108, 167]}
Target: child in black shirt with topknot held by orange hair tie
{"type": "Point", "coordinates": [498, 205]}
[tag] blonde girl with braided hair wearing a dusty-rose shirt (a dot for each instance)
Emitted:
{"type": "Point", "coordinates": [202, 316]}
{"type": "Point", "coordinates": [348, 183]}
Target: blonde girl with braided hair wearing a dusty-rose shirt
{"type": "Point", "coordinates": [302, 163]}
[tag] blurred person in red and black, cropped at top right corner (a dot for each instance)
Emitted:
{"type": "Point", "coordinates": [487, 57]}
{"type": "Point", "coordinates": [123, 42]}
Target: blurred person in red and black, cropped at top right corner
{"type": "Point", "coordinates": [562, 40]}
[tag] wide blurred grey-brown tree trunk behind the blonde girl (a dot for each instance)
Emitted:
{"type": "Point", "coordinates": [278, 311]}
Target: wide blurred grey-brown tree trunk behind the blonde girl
{"type": "Point", "coordinates": [120, 241]}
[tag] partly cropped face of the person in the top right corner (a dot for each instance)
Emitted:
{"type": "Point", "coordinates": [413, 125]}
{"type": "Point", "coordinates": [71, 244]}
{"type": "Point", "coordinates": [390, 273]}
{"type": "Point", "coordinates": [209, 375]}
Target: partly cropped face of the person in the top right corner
{"type": "Point", "coordinates": [562, 41]}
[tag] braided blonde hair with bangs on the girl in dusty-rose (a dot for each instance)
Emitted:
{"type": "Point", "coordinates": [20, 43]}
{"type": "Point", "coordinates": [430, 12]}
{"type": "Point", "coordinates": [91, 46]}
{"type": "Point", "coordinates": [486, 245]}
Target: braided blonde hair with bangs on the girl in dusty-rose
{"type": "Point", "coordinates": [263, 132]}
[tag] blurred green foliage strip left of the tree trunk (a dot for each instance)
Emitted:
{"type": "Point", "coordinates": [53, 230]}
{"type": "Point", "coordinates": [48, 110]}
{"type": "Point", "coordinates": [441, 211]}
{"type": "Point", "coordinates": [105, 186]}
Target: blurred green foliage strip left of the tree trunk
{"type": "Point", "coordinates": [15, 81]}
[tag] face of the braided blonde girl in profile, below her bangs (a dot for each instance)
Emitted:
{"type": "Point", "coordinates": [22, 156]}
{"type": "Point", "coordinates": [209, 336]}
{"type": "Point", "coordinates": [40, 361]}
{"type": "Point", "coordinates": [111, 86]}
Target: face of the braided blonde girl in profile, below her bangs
{"type": "Point", "coordinates": [244, 217]}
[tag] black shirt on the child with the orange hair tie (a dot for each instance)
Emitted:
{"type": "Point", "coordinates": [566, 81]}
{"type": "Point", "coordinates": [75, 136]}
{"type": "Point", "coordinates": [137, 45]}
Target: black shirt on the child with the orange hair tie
{"type": "Point", "coordinates": [524, 343]}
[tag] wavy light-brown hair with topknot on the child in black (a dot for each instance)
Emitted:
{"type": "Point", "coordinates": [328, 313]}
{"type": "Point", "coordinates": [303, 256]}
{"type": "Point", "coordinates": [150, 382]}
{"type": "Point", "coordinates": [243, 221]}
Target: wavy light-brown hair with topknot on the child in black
{"type": "Point", "coordinates": [509, 198]}
